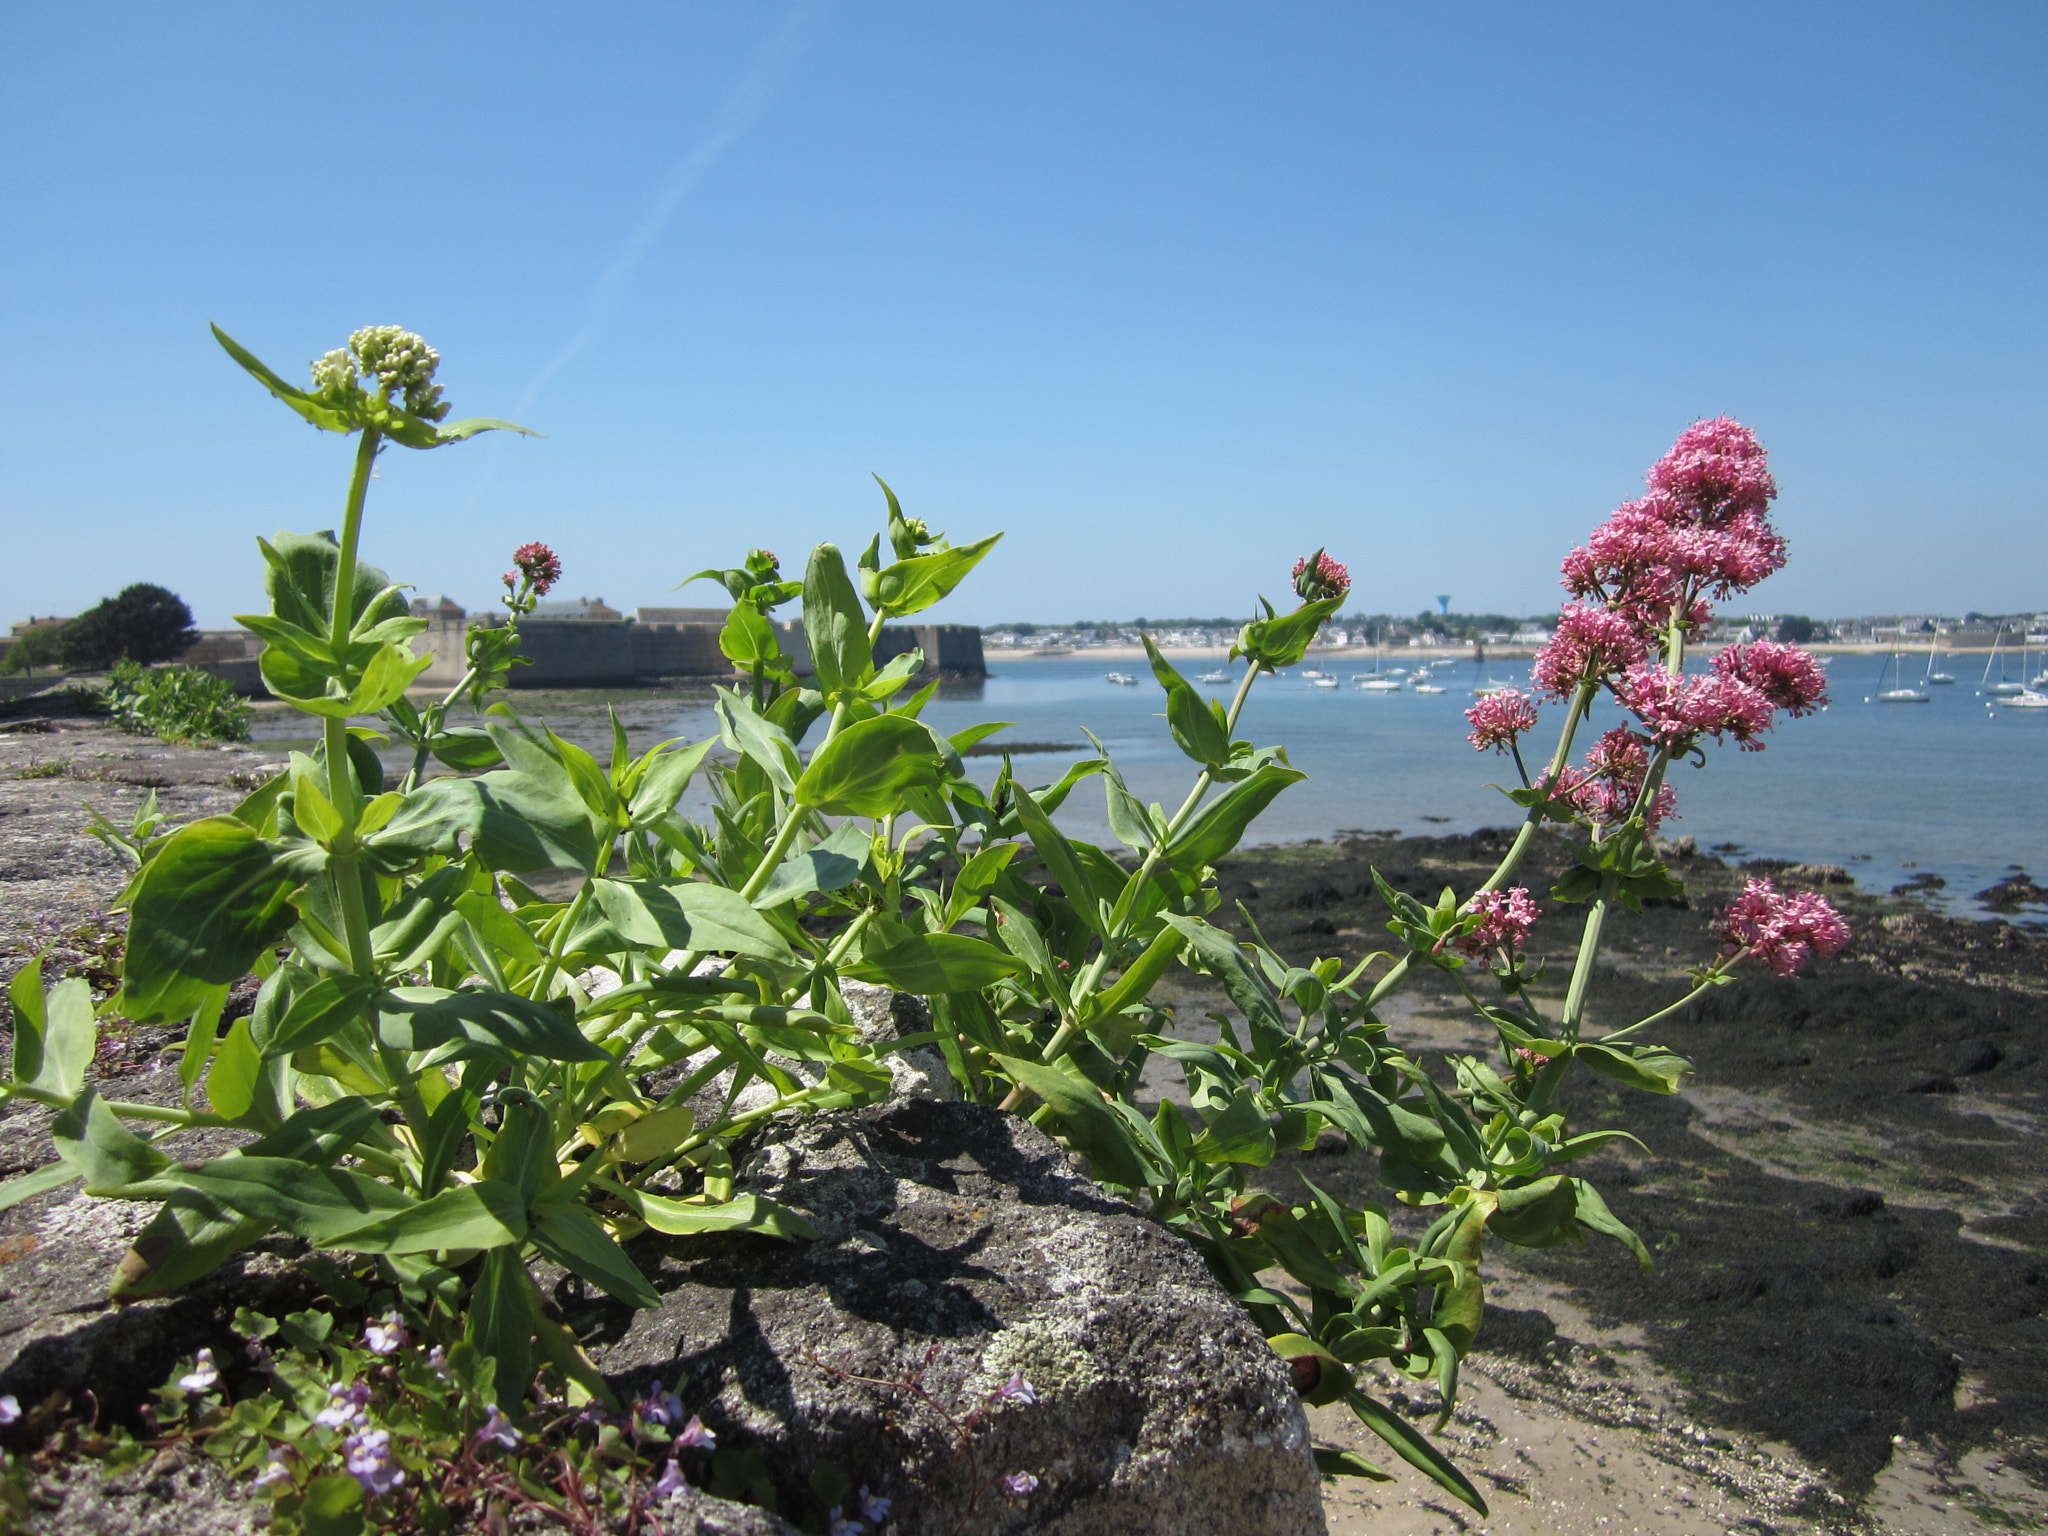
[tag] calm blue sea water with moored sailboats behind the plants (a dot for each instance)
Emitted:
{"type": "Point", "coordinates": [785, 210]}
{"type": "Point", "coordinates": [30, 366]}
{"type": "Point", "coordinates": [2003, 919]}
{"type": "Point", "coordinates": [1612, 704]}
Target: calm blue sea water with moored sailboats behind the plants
{"type": "Point", "coordinates": [1949, 790]}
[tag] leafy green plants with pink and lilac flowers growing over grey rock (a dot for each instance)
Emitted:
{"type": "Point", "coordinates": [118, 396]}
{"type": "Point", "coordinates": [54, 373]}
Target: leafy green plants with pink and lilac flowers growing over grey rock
{"type": "Point", "coordinates": [472, 984]}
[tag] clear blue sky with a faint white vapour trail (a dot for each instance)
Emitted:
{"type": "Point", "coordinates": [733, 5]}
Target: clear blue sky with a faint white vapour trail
{"type": "Point", "coordinates": [1168, 292]}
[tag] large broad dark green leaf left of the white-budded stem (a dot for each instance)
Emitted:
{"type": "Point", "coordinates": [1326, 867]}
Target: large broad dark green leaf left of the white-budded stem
{"type": "Point", "coordinates": [212, 900]}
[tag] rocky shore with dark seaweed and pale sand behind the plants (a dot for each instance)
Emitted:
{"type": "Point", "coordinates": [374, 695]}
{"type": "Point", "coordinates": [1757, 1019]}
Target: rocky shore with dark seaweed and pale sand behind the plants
{"type": "Point", "coordinates": [1848, 1201]}
